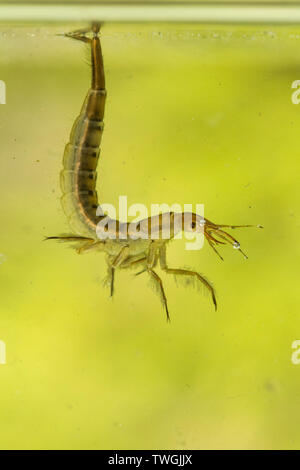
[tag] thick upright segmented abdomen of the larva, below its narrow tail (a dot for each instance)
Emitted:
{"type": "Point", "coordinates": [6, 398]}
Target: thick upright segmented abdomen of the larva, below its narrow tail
{"type": "Point", "coordinates": [79, 177]}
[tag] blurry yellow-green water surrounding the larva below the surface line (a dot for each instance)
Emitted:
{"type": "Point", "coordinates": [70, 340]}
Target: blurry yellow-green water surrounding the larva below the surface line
{"type": "Point", "coordinates": [194, 114]}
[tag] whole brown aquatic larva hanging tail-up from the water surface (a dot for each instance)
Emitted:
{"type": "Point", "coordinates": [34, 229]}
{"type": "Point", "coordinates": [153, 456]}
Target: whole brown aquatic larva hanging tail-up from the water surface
{"type": "Point", "coordinates": [141, 244]}
